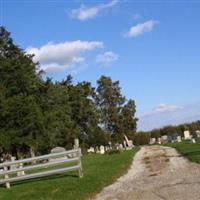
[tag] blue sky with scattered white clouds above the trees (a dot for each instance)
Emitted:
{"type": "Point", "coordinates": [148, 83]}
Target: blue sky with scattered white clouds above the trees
{"type": "Point", "coordinates": [152, 47]}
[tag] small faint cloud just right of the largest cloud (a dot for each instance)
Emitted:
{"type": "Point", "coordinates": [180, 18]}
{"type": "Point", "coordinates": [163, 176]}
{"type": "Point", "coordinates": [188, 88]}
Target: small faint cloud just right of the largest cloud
{"type": "Point", "coordinates": [107, 57]}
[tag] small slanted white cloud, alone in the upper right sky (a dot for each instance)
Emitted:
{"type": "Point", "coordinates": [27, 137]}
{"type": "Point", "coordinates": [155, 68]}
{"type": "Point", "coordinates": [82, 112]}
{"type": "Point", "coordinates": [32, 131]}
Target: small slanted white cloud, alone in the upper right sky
{"type": "Point", "coordinates": [141, 28]}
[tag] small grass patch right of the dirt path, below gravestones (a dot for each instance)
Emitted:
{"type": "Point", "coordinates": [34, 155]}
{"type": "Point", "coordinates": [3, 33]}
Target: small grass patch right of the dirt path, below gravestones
{"type": "Point", "coordinates": [190, 151]}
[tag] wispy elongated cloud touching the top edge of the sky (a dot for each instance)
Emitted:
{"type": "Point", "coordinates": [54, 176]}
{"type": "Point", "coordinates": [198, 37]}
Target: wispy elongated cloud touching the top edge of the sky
{"type": "Point", "coordinates": [84, 13]}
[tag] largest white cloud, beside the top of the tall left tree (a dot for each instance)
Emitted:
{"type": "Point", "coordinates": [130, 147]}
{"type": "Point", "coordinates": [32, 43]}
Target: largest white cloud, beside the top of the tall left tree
{"type": "Point", "coordinates": [58, 57]}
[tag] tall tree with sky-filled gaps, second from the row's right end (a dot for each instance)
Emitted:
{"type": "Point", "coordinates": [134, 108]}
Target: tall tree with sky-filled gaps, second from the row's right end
{"type": "Point", "coordinates": [109, 102]}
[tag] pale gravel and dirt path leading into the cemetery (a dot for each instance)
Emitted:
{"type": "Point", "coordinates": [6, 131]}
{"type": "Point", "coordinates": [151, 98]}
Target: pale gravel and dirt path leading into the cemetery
{"type": "Point", "coordinates": [157, 173]}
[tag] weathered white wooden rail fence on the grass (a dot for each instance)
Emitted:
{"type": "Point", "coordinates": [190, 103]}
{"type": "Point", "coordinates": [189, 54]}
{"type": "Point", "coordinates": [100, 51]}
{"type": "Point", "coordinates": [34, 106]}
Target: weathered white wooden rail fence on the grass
{"type": "Point", "coordinates": [56, 160]}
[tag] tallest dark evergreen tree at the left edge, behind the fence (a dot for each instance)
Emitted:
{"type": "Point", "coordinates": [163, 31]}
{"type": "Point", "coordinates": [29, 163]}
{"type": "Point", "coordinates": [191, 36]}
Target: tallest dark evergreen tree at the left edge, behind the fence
{"type": "Point", "coordinates": [19, 80]}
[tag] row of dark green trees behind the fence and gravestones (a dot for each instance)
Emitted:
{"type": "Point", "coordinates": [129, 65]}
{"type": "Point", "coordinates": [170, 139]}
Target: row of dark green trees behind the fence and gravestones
{"type": "Point", "coordinates": [37, 114]}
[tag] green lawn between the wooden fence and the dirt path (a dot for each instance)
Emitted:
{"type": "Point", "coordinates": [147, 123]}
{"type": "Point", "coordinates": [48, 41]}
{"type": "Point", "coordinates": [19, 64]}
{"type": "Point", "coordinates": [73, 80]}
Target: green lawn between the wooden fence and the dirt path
{"type": "Point", "coordinates": [99, 171]}
